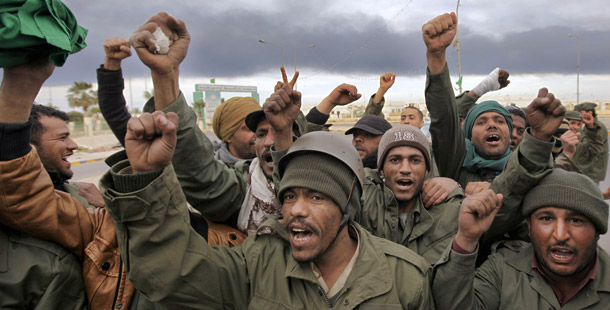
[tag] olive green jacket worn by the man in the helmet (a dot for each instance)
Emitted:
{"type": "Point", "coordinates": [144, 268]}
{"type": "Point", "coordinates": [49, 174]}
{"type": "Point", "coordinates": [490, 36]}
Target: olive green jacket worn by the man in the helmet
{"type": "Point", "coordinates": [171, 264]}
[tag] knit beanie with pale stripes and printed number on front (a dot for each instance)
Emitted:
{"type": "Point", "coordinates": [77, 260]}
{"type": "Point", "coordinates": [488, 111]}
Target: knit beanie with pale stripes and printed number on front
{"type": "Point", "coordinates": [403, 135]}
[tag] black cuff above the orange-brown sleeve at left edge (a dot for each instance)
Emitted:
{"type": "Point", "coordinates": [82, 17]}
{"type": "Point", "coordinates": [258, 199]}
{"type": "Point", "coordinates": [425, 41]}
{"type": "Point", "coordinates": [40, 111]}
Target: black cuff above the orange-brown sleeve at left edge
{"type": "Point", "coordinates": [15, 140]}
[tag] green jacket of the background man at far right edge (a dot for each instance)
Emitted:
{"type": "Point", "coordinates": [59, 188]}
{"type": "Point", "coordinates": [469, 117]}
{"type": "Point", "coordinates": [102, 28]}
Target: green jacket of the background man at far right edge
{"type": "Point", "coordinates": [591, 156]}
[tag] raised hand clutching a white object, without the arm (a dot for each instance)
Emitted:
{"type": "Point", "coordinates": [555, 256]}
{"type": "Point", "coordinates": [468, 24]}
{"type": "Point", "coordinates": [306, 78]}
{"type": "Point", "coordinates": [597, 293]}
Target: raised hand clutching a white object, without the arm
{"type": "Point", "coordinates": [143, 42]}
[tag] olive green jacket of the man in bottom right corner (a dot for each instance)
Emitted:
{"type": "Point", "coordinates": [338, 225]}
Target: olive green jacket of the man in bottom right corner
{"type": "Point", "coordinates": [506, 281]}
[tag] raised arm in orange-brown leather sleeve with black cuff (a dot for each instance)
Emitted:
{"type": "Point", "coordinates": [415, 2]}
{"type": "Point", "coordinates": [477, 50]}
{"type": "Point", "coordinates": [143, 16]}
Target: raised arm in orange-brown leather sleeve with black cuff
{"type": "Point", "coordinates": [29, 201]}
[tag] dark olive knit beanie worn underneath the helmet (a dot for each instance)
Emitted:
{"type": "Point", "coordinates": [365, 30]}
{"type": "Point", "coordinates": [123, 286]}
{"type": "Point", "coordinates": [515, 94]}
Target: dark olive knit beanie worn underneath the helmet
{"type": "Point", "coordinates": [321, 173]}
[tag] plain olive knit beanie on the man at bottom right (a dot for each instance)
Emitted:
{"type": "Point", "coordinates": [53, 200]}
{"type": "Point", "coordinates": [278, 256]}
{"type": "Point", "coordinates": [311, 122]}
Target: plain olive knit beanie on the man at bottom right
{"type": "Point", "coordinates": [569, 190]}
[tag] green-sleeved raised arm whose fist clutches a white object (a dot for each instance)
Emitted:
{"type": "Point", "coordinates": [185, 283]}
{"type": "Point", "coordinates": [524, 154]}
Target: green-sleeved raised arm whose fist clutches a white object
{"type": "Point", "coordinates": [208, 184]}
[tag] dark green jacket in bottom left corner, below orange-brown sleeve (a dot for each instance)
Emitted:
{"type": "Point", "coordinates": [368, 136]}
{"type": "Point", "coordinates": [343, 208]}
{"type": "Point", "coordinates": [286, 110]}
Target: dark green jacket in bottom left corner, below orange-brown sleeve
{"type": "Point", "coordinates": [37, 274]}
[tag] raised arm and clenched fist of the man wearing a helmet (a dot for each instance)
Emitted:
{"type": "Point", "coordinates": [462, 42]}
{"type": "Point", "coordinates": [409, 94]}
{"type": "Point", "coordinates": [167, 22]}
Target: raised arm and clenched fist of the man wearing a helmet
{"type": "Point", "coordinates": [146, 201]}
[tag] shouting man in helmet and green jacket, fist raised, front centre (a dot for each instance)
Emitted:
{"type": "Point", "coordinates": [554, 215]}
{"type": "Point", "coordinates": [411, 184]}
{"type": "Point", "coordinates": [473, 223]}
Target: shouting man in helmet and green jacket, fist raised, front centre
{"type": "Point", "coordinates": [317, 258]}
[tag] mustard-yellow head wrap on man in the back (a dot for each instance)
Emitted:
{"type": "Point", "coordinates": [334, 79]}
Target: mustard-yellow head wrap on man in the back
{"type": "Point", "coordinates": [230, 114]}
